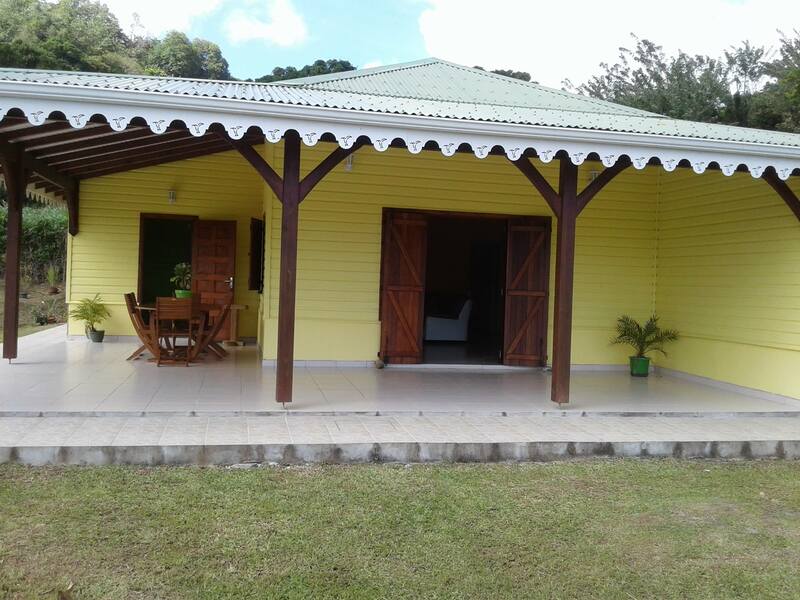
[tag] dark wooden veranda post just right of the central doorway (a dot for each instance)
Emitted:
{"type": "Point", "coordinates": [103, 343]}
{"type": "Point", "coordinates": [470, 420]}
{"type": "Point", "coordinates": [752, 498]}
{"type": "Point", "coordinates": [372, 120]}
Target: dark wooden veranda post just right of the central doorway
{"type": "Point", "coordinates": [565, 271]}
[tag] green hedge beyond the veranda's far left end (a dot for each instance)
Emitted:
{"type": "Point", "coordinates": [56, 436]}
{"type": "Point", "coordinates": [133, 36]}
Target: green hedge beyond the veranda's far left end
{"type": "Point", "coordinates": [44, 241]}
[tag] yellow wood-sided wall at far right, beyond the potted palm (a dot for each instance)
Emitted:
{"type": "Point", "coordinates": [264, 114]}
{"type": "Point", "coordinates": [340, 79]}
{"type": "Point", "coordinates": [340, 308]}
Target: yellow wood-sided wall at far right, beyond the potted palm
{"type": "Point", "coordinates": [729, 280]}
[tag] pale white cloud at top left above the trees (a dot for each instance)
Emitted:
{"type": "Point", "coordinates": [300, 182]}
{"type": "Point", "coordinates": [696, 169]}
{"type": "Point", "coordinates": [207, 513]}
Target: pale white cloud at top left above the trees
{"type": "Point", "coordinates": [159, 16]}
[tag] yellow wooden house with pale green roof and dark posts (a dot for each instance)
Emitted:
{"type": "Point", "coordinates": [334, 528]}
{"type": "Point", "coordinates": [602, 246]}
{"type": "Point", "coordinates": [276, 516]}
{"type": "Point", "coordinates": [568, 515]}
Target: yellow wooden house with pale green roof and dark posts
{"type": "Point", "coordinates": [422, 212]}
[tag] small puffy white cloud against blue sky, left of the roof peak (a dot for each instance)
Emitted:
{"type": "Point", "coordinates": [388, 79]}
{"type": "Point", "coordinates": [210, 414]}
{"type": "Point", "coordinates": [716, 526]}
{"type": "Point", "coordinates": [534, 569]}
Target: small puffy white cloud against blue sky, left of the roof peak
{"type": "Point", "coordinates": [283, 26]}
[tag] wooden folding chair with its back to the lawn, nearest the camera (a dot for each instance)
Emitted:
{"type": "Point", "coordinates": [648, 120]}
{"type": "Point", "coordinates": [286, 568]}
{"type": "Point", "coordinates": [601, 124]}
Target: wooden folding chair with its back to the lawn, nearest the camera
{"type": "Point", "coordinates": [175, 319]}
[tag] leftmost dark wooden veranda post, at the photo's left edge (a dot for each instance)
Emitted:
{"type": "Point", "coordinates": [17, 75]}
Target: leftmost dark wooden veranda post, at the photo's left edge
{"type": "Point", "coordinates": [16, 178]}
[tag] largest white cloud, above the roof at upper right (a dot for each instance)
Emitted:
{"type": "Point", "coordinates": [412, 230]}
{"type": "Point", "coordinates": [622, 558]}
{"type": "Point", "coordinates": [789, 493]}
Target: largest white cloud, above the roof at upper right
{"type": "Point", "coordinates": [568, 39]}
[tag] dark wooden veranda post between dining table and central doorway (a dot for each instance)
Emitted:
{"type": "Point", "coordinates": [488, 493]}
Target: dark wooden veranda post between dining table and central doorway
{"type": "Point", "coordinates": [288, 277]}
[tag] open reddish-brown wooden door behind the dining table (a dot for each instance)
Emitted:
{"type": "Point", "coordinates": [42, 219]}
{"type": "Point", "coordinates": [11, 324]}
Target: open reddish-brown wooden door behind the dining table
{"type": "Point", "coordinates": [214, 264]}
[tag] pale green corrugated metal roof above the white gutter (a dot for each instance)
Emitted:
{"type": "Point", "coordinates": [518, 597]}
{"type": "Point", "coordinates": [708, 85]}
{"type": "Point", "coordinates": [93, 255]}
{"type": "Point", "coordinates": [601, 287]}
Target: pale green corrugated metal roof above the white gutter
{"type": "Point", "coordinates": [426, 88]}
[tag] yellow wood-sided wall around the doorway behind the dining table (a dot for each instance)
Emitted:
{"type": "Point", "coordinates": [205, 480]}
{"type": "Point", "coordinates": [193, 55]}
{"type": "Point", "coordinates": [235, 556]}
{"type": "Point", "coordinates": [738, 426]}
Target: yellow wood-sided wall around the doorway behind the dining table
{"type": "Point", "coordinates": [104, 256]}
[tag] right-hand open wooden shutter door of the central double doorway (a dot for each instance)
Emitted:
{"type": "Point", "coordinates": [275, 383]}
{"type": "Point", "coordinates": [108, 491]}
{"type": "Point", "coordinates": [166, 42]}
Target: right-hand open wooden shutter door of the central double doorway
{"type": "Point", "coordinates": [527, 279]}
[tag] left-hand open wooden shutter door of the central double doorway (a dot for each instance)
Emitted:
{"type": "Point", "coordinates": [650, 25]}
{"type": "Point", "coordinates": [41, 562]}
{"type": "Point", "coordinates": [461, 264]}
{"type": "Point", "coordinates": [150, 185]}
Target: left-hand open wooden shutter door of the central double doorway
{"type": "Point", "coordinates": [405, 241]}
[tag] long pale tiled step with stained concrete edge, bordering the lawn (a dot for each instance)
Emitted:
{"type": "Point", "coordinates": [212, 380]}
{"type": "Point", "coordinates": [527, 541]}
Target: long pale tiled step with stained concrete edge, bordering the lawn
{"type": "Point", "coordinates": [403, 438]}
